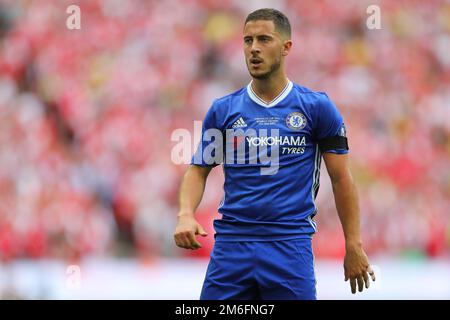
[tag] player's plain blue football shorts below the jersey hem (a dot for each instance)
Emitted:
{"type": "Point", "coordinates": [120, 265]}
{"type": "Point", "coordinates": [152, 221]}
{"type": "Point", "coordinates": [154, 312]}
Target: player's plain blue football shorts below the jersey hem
{"type": "Point", "coordinates": [253, 270]}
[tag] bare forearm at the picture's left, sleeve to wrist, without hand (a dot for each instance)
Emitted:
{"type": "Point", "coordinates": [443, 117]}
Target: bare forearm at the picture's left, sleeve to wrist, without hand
{"type": "Point", "coordinates": [191, 190]}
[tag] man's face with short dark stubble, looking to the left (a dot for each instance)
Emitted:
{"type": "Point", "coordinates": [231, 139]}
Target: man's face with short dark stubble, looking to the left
{"type": "Point", "coordinates": [263, 48]}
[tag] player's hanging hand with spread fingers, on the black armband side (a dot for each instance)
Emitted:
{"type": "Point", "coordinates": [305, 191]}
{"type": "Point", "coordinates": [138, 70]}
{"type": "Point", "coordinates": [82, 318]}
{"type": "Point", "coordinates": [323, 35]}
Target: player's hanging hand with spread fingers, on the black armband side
{"type": "Point", "coordinates": [357, 268]}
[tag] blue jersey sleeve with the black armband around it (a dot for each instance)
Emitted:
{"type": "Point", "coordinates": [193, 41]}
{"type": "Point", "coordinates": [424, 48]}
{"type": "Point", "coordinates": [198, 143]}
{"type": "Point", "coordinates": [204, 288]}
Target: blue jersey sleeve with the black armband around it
{"type": "Point", "coordinates": [330, 127]}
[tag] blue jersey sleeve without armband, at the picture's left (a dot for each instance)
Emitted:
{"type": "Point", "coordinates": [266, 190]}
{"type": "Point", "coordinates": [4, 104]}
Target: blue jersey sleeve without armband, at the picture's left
{"type": "Point", "coordinates": [209, 151]}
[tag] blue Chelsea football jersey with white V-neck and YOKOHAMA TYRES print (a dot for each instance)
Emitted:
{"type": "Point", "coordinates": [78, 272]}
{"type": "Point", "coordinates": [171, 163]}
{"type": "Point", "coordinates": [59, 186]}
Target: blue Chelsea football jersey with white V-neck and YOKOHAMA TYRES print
{"type": "Point", "coordinates": [271, 160]}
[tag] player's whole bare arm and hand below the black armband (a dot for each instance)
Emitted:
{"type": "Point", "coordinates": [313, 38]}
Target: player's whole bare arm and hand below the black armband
{"type": "Point", "coordinates": [356, 264]}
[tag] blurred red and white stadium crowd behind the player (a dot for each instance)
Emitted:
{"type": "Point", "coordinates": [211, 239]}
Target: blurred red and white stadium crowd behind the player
{"type": "Point", "coordinates": [86, 118]}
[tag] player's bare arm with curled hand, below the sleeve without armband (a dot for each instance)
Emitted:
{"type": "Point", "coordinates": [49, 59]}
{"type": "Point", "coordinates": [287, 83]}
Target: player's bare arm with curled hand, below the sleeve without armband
{"type": "Point", "coordinates": [191, 193]}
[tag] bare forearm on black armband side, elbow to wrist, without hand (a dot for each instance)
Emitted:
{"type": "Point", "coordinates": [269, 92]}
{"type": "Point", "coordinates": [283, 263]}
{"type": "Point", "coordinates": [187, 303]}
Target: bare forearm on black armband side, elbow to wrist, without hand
{"type": "Point", "coordinates": [346, 199]}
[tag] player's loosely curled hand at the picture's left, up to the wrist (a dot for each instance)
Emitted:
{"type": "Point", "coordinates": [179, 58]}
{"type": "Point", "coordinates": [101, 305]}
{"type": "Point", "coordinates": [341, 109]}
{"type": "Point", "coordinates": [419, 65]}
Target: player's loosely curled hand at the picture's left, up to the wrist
{"type": "Point", "coordinates": [186, 230]}
